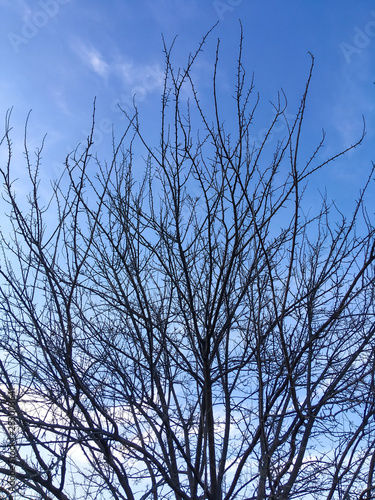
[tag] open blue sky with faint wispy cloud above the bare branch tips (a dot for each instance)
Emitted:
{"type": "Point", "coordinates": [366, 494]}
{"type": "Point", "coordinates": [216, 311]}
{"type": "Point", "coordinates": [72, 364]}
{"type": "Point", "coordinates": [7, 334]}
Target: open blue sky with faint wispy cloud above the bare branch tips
{"type": "Point", "coordinates": [57, 55]}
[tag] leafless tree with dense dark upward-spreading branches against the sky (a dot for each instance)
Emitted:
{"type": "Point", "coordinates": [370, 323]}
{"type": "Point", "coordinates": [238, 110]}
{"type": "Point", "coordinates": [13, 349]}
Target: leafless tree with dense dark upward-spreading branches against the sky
{"type": "Point", "coordinates": [201, 333]}
